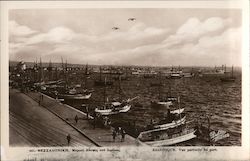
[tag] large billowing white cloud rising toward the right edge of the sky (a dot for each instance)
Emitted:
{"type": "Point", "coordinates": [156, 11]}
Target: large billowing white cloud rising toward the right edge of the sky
{"type": "Point", "coordinates": [224, 48]}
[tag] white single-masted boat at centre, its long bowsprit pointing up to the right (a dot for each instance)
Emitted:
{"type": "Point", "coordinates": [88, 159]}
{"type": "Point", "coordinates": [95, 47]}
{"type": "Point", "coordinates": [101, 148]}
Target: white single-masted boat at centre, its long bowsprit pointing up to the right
{"type": "Point", "coordinates": [111, 108]}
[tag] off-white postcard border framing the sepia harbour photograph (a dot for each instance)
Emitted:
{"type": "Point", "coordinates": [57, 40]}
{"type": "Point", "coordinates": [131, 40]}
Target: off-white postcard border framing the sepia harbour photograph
{"type": "Point", "coordinates": [223, 153]}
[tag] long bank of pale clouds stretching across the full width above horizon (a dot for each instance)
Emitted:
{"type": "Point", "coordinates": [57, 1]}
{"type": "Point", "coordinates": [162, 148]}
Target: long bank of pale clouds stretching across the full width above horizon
{"type": "Point", "coordinates": [208, 42]}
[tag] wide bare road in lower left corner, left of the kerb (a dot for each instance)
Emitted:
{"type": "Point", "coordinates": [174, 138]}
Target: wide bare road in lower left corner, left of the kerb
{"type": "Point", "coordinates": [32, 125]}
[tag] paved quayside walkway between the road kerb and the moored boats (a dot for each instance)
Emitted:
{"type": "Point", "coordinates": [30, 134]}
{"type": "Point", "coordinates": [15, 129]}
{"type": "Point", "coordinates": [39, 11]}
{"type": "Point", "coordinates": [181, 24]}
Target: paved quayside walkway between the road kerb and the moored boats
{"type": "Point", "coordinates": [98, 136]}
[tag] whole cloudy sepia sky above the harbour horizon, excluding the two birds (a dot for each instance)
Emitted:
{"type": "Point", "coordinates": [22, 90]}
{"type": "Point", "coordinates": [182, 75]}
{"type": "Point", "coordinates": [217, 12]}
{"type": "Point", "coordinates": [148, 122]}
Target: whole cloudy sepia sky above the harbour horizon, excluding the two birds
{"type": "Point", "coordinates": [158, 37]}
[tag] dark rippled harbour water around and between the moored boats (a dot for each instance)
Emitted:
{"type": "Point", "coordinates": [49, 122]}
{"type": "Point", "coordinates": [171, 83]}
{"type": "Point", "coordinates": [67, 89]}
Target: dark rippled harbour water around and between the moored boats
{"type": "Point", "coordinates": [200, 96]}
